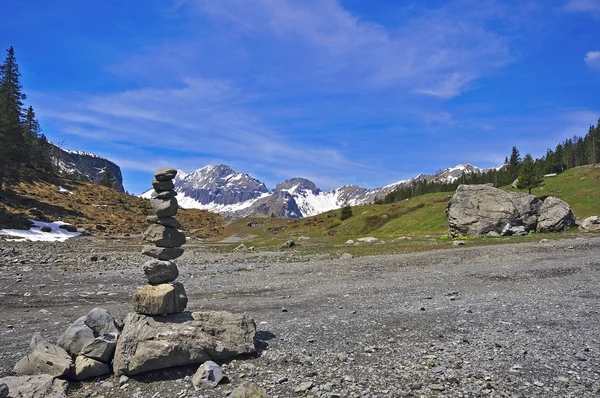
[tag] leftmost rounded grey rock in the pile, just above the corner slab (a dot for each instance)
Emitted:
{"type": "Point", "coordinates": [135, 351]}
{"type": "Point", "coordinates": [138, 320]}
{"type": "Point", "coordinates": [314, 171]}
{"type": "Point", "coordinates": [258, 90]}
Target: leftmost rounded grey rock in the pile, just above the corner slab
{"type": "Point", "coordinates": [45, 358]}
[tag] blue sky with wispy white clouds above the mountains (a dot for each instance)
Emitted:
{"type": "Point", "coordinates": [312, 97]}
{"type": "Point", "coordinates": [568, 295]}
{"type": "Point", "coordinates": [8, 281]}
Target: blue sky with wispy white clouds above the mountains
{"type": "Point", "coordinates": [350, 91]}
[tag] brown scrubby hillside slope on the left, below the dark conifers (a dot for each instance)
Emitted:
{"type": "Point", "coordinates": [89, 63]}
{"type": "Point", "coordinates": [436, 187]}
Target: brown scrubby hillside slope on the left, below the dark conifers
{"type": "Point", "coordinates": [94, 207]}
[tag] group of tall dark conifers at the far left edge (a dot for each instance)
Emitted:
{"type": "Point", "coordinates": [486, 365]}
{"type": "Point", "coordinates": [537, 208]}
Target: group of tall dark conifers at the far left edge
{"type": "Point", "coordinates": [24, 150]}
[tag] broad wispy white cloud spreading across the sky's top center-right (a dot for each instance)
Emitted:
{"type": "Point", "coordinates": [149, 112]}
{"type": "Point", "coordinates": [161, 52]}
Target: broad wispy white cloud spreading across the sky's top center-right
{"type": "Point", "coordinates": [439, 53]}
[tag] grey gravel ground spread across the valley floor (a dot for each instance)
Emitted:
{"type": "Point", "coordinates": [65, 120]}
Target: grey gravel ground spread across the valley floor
{"type": "Point", "coordinates": [510, 320]}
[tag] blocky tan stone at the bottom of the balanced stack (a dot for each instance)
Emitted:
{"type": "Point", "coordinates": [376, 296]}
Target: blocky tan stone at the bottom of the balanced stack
{"type": "Point", "coordinates": [166, 298]}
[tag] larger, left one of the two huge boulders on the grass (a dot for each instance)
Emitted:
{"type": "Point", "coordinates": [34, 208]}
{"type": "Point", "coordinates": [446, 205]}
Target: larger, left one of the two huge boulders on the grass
{"type": "Point", "coordinates": [479, 209]}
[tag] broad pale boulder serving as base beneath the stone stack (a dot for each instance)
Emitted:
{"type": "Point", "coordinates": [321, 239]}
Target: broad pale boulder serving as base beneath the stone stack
{"type": "Point", "coordinates": [156, 342]}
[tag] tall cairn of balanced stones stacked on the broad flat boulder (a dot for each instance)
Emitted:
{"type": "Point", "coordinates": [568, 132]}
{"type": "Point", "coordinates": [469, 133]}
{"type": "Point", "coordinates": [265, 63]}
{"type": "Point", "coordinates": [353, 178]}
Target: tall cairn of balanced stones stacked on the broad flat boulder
{"type": "Point", "coordinates": [162, 295]}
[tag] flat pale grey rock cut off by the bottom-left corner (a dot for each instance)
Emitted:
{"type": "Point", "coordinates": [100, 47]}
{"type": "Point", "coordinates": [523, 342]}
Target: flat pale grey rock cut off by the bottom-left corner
{"type": "Point", "coordinates": [41, 386]}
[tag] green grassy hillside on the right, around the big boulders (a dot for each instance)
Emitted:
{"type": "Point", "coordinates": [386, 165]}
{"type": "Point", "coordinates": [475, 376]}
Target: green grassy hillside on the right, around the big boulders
{"type": "Point", "coordinates": [415, 224]}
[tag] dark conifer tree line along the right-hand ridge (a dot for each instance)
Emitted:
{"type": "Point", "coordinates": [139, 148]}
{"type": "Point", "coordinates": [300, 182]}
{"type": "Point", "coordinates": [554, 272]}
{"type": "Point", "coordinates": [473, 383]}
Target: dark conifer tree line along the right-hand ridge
{"type": "Point", "coordinates": [527, 172]}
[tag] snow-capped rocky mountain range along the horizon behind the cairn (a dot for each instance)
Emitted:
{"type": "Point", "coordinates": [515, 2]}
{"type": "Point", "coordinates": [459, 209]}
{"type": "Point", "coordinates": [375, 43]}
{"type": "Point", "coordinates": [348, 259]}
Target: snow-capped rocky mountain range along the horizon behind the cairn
{"type": "Point", "coordinates": [223, 190]}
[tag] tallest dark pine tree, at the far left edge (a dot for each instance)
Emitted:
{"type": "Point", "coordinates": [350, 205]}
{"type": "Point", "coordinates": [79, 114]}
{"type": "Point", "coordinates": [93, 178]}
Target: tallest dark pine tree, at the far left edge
{"type": "Point", "coordinates": [11, 114]}
